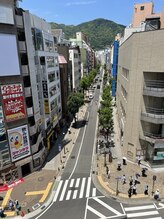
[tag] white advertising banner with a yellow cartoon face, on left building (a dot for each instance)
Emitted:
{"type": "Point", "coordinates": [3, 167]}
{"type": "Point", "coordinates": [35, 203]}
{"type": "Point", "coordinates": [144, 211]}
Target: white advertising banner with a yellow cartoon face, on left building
{"type": "Point", "coordinates": [19, 142]}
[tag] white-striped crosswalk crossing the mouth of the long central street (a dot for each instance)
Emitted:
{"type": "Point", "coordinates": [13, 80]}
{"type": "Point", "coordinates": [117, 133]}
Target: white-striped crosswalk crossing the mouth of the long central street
{"type": "Point", "coordinates": [74, 189]}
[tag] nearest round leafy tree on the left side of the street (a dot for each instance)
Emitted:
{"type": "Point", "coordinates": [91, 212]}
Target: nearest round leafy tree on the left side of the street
{"type": "Point", "coordinates": [75, 101]}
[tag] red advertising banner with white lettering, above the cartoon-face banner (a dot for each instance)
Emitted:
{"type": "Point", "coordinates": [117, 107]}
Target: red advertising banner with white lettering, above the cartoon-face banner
{"type": "Point", "coordinates": [13, 101]}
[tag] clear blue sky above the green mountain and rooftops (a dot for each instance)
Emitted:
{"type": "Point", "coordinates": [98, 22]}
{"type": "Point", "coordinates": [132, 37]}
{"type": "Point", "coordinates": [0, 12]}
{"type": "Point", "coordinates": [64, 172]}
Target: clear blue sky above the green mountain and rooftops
{"type": "Point", "coordinates": [78, 11]}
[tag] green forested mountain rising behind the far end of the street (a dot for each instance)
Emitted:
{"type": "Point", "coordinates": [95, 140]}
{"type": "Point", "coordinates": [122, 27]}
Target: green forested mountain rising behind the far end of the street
{"type": "Point", "coordinates": [101, 32]}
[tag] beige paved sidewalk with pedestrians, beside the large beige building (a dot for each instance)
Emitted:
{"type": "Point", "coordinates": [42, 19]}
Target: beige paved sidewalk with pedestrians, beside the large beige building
{"type": "Point", "coordinates": [113, 186]}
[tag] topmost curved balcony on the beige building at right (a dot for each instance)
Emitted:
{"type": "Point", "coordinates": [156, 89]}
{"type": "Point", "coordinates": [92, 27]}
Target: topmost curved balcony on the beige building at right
{"type": "Point", "coordinates": [153, 88]}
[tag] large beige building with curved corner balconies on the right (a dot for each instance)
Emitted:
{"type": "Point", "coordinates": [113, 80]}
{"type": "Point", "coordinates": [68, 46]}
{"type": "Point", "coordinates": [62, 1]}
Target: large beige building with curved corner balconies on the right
{"type": "Point", "coordinates": [140, 96]}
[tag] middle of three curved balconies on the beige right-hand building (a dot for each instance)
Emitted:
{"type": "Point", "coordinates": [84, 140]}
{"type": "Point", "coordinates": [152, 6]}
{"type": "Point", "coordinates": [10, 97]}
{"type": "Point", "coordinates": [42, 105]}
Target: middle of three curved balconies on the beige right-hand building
{"type": "Point", "coordinates": [153, 115]}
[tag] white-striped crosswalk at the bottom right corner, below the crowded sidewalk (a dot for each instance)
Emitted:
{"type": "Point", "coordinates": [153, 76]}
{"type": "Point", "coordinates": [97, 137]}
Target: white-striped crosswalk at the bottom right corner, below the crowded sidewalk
{"type": "Point", "coordinates": [142, 211]}
